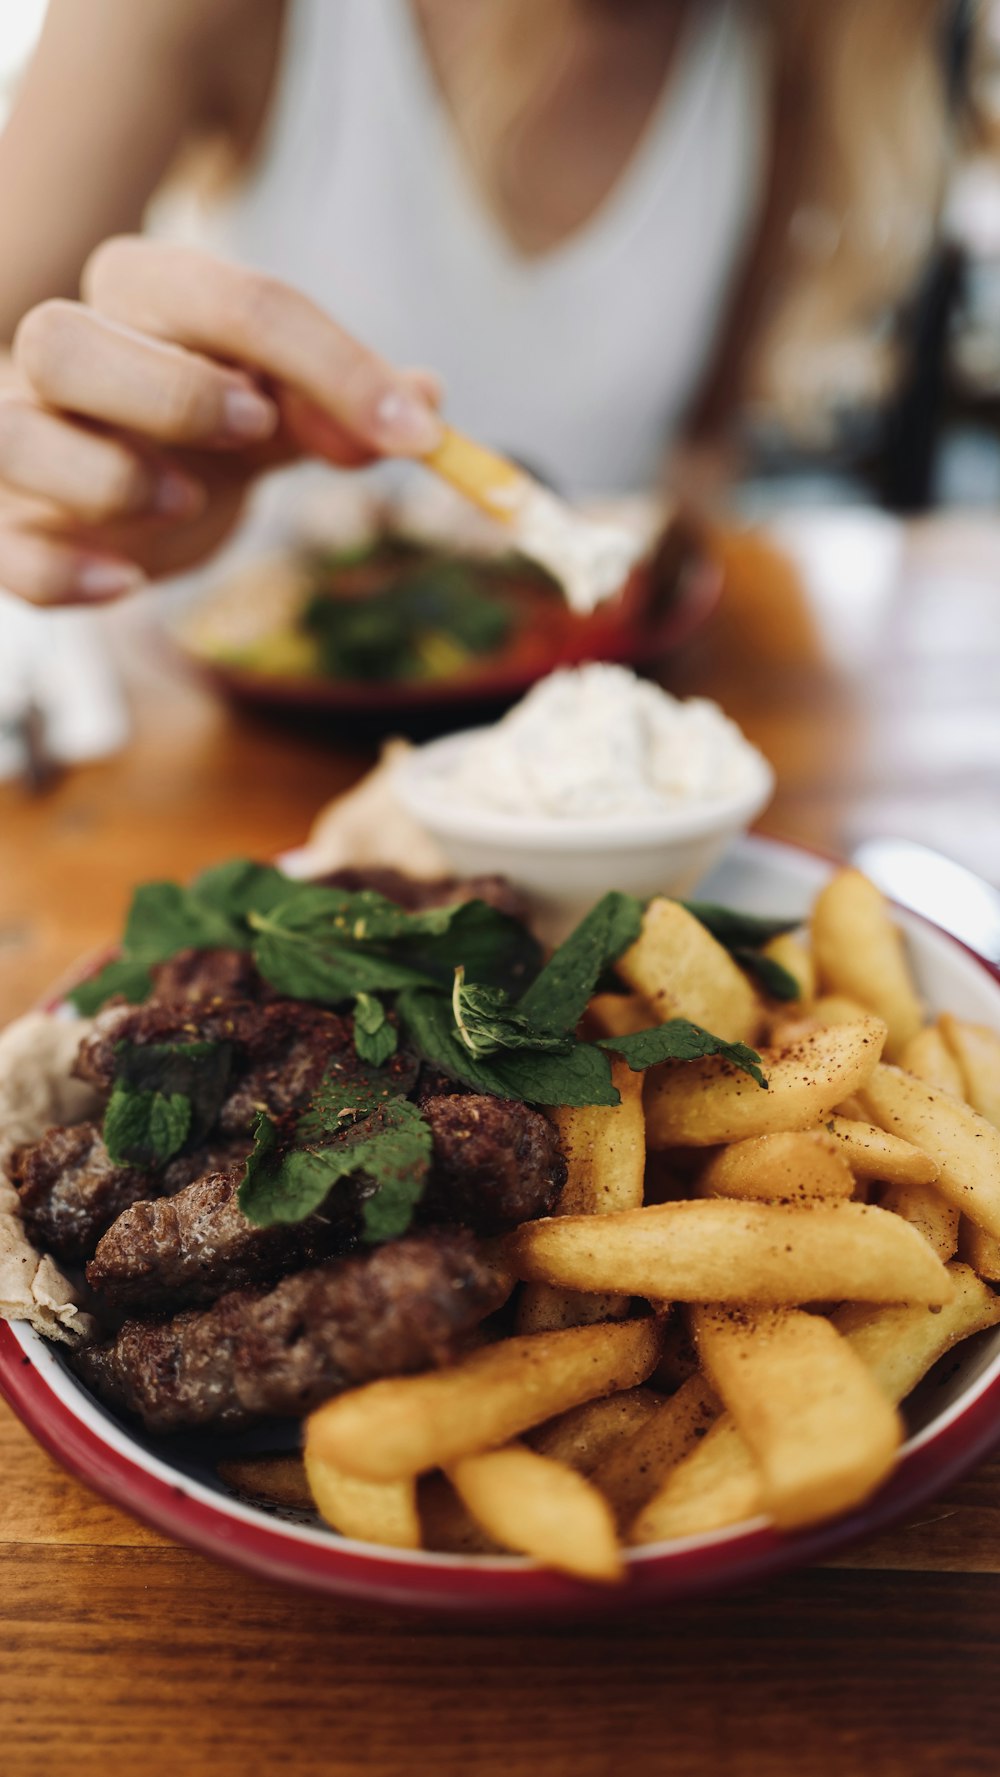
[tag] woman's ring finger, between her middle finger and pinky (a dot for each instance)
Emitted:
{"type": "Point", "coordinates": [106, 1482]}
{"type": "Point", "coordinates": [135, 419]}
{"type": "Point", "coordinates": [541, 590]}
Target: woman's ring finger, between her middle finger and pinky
{"type": "Point", "coordinates": [88, 475]}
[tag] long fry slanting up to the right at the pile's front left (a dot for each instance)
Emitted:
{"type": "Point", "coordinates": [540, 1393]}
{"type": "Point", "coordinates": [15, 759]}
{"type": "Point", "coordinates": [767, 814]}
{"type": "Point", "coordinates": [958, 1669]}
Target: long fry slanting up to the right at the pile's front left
{"type": "Point", "coordinates": [406, 1426]}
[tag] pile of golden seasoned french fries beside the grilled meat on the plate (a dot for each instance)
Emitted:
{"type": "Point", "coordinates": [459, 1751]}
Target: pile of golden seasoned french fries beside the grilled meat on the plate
{"type": "Point", "coordinates": [740, 1287]}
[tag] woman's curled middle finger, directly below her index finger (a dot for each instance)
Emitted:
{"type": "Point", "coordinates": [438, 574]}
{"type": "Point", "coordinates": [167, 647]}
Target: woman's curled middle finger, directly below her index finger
{"type": "Point", "coordinates": [90, 365]}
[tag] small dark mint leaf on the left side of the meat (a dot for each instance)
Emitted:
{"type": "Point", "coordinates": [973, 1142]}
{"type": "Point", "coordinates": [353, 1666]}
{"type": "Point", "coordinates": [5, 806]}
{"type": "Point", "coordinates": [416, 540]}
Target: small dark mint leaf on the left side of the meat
{"type": "Point", "coordinates": [164, 1097]}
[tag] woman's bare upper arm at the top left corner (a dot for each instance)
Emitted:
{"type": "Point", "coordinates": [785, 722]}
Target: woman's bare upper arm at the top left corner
{"type": "Point", "coordinates": [113, 93]}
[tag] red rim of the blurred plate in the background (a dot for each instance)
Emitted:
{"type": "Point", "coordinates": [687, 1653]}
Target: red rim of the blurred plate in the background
{"type": "Point", "coordinates": [628, 644]}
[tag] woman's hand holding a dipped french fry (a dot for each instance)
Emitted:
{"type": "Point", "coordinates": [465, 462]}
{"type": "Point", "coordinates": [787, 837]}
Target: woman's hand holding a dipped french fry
{"type": "Point", "coordinates": [139, 417]}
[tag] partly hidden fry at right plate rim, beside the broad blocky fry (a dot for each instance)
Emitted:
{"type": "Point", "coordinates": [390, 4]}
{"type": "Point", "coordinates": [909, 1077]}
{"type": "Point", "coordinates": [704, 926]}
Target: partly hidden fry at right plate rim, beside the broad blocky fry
{"type": "Point", "coordinates": [901, 1344]}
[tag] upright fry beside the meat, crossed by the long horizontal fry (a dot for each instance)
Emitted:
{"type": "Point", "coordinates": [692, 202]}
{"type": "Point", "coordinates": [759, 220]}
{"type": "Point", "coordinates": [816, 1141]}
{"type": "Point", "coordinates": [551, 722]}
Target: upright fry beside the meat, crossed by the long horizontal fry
{"type": "Point", "coordinates": [607, 1154]}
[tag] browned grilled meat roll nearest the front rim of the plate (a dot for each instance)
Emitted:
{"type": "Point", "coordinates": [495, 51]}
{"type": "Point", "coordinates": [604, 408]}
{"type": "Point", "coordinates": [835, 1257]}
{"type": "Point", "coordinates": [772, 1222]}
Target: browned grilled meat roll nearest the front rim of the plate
{"type": "Point", "coordinates": [404, 1307]}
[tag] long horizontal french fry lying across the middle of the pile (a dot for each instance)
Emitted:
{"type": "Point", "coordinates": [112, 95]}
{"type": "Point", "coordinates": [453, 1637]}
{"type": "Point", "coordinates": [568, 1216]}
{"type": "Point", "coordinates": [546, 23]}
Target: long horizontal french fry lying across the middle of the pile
{"type": "Point", "coordinates": [720, 1250]}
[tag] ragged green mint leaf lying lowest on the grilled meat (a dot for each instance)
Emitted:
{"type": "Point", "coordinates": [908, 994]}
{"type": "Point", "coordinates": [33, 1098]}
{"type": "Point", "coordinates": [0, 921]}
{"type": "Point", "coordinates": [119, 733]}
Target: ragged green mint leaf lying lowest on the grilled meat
{"type": "Point", "coordinates": [351, 1129]}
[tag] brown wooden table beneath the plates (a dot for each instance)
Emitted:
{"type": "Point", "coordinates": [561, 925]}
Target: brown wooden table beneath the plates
{"type": "Point", "coordinates": [878, 699]}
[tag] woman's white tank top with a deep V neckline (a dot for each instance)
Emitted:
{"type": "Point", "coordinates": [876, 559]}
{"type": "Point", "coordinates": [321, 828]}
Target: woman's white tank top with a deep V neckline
{"type": "Point", "coordinates": [580, 360]}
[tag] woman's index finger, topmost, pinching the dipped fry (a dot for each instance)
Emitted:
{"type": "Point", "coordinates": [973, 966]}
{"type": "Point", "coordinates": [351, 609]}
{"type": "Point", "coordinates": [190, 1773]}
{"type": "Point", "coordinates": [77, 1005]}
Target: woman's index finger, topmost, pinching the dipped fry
{"type": "Point", "coordinates": [219, 308]}
